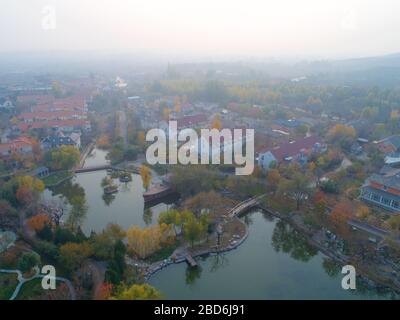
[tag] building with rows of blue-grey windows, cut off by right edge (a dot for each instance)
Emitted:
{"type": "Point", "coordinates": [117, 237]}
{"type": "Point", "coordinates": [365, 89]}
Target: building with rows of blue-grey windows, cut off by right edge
{"type": "Point", "coordinates": [383, 190]}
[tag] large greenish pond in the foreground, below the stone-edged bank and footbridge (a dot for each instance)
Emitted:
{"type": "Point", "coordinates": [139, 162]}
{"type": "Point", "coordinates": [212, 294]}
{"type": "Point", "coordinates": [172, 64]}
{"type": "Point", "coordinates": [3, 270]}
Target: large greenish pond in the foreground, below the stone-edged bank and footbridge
{"type": "Point", "coordinates": [275, 262]}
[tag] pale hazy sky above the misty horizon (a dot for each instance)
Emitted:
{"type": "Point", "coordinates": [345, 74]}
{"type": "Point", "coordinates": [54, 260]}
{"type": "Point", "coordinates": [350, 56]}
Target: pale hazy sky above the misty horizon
{"type": "Point", "coordinates": [260, 28]}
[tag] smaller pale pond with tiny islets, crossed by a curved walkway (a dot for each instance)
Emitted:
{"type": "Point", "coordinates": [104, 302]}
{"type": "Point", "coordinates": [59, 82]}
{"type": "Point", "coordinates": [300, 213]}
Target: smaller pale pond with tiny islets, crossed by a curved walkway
{"type": "Point", "coordinates": [94, 209]}
